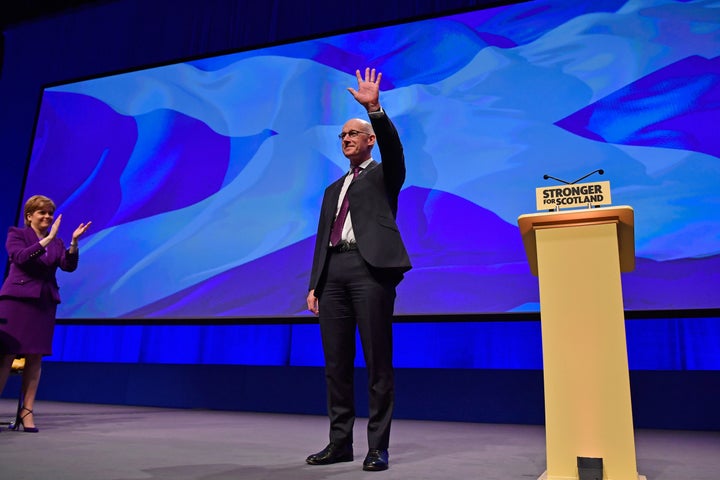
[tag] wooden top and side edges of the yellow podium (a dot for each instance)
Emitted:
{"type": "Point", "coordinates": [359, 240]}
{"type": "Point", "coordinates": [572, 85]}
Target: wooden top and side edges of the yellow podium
{"type": "Point", "coordinates": [622, 215]}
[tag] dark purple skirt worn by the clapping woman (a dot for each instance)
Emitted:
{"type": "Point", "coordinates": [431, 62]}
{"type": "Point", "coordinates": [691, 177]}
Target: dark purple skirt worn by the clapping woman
{"type": "Point", "coordinates": [30, 324]}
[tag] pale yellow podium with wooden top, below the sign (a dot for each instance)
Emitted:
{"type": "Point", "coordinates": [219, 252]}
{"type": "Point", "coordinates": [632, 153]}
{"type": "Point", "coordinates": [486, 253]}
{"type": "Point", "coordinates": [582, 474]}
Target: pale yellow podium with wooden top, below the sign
{"type": "Point", "coordinates": [578, 256]}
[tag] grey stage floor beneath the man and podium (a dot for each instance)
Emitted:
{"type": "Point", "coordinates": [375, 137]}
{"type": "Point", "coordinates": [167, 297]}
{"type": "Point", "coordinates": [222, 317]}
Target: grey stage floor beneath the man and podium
{"type": "Point", "coordinates": [106, 442]}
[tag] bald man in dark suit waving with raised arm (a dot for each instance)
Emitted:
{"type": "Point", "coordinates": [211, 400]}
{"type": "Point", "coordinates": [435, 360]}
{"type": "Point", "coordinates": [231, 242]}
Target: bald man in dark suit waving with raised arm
{"type": "Point", "coordinates": [359, 260]}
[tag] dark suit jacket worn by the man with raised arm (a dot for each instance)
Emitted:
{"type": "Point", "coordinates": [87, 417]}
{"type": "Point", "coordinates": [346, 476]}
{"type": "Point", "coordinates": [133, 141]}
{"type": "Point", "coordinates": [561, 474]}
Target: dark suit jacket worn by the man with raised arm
{"type": "Point", "coordinates": [373, 199]}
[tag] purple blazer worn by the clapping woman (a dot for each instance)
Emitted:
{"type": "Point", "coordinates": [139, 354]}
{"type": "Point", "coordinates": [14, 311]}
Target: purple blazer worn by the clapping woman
{"type": "Point", "coordinates": [33, 267]}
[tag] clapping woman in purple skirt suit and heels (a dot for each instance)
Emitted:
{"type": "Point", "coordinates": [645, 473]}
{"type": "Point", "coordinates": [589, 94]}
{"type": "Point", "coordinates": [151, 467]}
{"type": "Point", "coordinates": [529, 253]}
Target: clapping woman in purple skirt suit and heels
{"type": "Point", "coordinates": [29, 296]}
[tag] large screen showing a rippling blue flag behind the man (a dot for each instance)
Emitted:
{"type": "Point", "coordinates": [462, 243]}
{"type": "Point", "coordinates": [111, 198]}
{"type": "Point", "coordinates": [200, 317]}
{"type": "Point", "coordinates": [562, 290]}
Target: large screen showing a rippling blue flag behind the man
{"type": "Point", "coordinates": [203, 179]}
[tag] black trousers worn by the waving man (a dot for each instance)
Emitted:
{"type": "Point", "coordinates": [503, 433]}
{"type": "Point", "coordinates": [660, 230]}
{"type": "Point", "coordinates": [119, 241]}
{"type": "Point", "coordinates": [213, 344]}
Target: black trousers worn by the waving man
{"type": "Point", "coordinates": [354, 296]}
